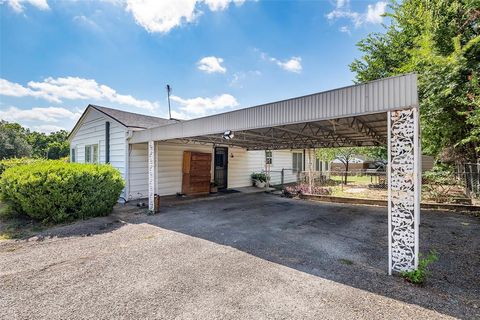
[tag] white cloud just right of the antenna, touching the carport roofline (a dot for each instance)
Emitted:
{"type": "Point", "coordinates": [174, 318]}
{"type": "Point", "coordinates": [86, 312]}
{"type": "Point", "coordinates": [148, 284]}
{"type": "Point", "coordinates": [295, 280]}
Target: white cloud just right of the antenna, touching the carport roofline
{"type": "Point", "coordinates": [196, 107]}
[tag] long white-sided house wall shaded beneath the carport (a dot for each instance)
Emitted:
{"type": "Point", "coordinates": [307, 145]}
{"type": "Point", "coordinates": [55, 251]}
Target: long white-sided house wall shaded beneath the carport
{"type": "Point", "coordinates": [169, 157]}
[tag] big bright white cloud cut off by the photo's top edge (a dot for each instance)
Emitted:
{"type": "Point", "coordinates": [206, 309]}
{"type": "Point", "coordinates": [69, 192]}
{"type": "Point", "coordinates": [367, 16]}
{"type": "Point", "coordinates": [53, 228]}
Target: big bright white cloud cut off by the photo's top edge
{"type": "Point", "coordinates": [164, 15]}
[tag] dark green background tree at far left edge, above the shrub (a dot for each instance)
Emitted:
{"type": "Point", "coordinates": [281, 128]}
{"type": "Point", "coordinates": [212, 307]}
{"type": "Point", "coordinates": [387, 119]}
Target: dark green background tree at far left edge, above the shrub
{"type": "Point", "coordinates": [13, 142]}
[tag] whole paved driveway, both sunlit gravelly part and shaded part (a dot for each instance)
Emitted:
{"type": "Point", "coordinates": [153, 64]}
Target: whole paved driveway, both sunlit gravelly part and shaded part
{"type": "Point", "coordinates": [253, 256]}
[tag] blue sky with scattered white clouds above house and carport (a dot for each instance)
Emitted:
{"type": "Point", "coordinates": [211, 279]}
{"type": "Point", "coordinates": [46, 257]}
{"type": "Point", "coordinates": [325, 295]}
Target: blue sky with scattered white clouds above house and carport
{"type": "Point", "coordinates": [56, 57]}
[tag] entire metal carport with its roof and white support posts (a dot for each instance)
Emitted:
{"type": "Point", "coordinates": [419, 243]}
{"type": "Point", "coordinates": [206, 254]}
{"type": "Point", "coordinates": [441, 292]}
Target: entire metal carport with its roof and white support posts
{"type": "Point", "coordinates": [381, 112]}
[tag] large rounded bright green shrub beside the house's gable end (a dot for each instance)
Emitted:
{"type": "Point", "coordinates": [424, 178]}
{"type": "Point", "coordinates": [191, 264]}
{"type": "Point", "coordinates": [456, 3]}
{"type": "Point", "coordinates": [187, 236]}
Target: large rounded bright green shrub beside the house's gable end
{"type": "Point", "coordinates": [55, 191]}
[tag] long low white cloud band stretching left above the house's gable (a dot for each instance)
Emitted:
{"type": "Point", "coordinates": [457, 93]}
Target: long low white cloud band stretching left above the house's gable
{"type": "Point", "coordinates": [72, 88]}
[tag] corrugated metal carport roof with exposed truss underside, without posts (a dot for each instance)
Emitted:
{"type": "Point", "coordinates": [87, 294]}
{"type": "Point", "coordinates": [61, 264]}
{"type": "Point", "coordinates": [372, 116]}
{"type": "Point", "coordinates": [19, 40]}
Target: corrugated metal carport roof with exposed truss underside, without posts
{"type": "Point", "coordinates": [349, 116]}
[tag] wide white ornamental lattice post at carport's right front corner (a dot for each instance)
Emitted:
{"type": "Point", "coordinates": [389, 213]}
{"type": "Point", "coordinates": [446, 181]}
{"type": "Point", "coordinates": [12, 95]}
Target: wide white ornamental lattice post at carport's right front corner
{"type": "Point", "coordinates": [404, 186]}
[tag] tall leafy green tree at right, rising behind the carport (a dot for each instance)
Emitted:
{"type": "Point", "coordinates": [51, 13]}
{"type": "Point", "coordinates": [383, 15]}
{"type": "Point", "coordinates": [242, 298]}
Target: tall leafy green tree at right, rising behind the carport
{"type": "Point", "coordinates": [438, 39]}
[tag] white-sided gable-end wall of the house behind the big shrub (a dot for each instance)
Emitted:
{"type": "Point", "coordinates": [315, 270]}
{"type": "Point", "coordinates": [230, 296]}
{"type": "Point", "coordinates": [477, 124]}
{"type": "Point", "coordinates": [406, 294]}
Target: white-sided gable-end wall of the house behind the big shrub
{"type": "Point", "coordinates": [92, 131]}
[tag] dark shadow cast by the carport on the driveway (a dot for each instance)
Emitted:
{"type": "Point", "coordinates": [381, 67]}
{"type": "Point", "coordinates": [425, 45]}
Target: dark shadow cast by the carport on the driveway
{"type": "Point", "coordinates": [343, 243]}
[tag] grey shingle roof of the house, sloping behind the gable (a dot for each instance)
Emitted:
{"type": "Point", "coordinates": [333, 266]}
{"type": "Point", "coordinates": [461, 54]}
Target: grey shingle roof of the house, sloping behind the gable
{"type": "Point", "coordinates": [133, 120]}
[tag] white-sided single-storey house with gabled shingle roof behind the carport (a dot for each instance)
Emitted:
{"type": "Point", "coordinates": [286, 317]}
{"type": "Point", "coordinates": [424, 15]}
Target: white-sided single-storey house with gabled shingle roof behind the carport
{"type": "Point", "coordinates": [101, 128]}
